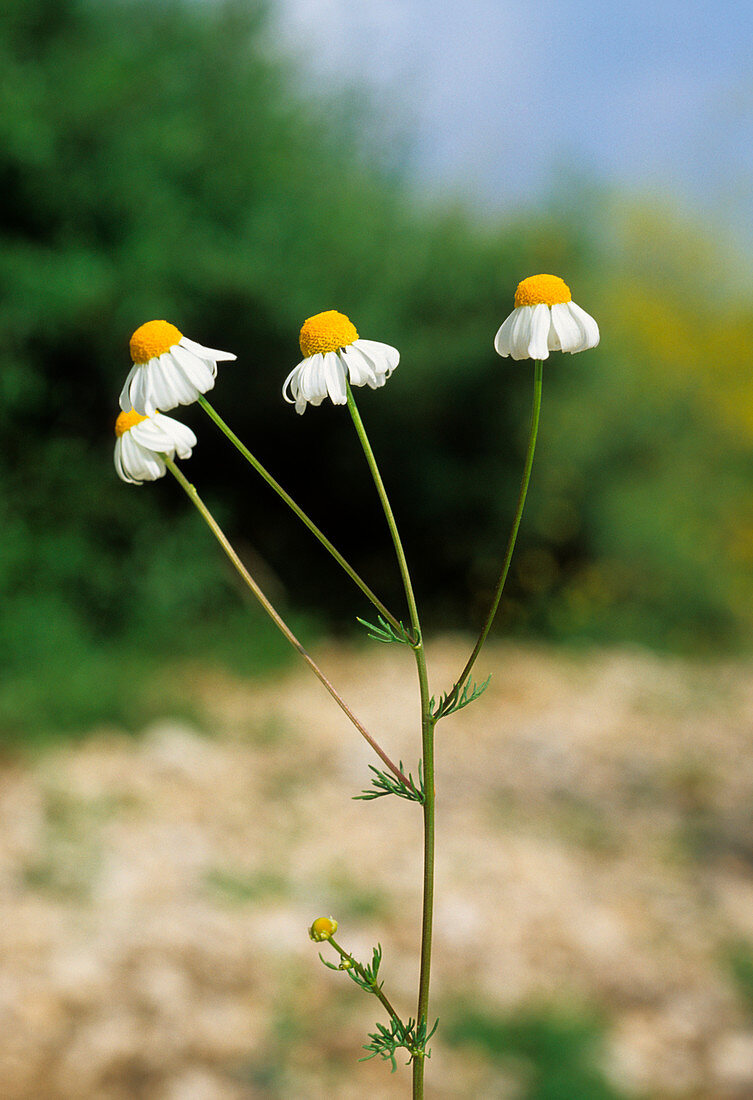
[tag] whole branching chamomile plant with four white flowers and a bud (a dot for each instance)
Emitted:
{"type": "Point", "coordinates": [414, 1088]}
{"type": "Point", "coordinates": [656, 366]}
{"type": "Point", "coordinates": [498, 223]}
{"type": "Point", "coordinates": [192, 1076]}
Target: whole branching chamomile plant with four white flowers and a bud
{"type": "Point", "coordinates": [170, 370]}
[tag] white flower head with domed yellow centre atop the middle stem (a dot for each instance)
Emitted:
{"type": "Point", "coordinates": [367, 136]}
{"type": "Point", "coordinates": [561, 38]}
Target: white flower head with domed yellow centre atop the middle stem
{"type": "Point", "coordinates": [334, 354]}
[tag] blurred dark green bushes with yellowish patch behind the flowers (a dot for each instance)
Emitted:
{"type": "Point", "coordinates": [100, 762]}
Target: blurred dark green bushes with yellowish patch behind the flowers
{"type": "Point", "coordinates": [165, 161]}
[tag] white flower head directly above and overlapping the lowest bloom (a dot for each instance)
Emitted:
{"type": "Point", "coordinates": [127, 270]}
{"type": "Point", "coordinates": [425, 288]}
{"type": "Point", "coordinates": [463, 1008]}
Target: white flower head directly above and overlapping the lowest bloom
{"type": "Point", "coordinates": [169, 369]}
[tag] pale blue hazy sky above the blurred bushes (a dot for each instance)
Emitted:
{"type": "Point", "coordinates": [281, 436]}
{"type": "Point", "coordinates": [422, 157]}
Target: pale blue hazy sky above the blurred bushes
{"type": "Point", "coordinates": [501, 96]}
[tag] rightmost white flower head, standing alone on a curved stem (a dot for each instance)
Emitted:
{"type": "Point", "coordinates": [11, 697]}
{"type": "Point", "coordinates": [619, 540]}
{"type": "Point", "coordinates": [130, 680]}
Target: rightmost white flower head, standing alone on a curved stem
{"type": "Point", "coordinates": [546, 320]}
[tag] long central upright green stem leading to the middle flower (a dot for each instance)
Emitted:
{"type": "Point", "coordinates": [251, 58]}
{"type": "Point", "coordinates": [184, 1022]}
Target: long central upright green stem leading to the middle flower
{"type": "Point", "coordinates": [428, 723]}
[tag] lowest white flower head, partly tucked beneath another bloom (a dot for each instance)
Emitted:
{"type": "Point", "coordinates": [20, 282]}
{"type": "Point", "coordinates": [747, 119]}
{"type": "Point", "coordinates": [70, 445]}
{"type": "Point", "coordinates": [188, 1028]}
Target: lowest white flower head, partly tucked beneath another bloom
{"type": "Point", "coordinates": [143, 442]}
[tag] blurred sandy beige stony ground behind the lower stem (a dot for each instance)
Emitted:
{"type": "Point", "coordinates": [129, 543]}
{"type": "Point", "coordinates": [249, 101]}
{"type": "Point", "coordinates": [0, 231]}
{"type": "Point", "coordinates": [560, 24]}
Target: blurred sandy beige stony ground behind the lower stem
{"type": "Point", "coordinates": [595, 850]}
